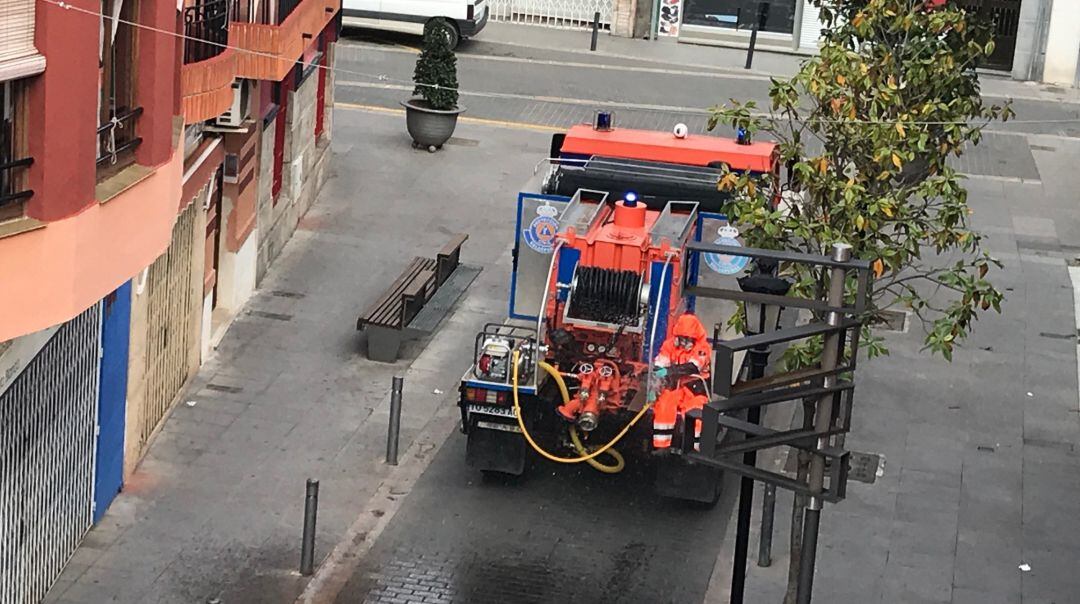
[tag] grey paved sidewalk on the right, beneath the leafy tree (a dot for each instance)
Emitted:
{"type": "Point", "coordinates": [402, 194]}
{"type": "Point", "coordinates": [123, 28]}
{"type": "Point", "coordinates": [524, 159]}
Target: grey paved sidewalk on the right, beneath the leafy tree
{"type": "Point", "coordinates": [982, 469]}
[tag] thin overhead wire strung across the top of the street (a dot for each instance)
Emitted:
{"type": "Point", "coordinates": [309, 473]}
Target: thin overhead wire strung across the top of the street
{"type": "Point", "coordinates": [385, 78]}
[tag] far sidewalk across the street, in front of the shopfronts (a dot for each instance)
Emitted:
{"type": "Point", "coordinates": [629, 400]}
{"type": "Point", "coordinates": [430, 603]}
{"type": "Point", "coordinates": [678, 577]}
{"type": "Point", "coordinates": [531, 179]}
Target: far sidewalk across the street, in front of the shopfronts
{"type": "Point", "coordinates": [668, 51]}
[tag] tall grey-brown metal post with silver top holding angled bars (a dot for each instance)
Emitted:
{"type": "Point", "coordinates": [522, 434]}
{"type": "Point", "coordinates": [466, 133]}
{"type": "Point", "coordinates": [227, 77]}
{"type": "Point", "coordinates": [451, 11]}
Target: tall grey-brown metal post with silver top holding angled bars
{"type": "Point", "coordinates": [823, 418]}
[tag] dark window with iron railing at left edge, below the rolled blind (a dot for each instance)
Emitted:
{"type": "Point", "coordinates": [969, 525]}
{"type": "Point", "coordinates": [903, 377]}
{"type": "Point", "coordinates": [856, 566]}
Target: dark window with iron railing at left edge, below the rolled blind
{"type": "Point", "coordinates": [13, 165]}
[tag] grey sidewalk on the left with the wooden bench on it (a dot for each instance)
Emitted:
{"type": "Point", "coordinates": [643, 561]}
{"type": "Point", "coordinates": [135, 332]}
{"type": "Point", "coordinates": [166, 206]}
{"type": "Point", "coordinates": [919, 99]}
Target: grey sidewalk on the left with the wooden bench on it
{"type": "Point", "coordinates": [215, 511]}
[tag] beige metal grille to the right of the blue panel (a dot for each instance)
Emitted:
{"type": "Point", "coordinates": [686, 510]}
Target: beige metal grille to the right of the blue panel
{"type": "Point", "coordinates": [169, 325]}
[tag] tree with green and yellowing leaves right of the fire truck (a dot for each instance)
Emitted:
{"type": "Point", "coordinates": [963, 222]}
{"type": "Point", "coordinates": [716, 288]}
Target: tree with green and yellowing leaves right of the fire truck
{"type": "Point", "coordinates": [867, 129]}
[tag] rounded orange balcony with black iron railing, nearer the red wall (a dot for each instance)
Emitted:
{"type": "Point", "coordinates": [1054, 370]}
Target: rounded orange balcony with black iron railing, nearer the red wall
{"type": "Point", "coordinates": [210, 68]}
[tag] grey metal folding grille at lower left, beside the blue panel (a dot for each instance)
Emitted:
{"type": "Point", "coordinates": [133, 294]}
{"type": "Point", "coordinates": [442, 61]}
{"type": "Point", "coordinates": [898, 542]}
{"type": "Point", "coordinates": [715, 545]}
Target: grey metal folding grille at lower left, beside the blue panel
{"type": "Point", "coordinates": [47, 458]}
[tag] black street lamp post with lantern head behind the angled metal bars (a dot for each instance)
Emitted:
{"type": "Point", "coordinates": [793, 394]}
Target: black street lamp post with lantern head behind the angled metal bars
{"type": "Point", "coordinates": [760, 319]}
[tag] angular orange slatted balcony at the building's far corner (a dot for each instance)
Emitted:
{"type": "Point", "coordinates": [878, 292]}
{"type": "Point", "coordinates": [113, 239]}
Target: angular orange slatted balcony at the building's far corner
{"type": "Point", "coordinates": [277, 33]}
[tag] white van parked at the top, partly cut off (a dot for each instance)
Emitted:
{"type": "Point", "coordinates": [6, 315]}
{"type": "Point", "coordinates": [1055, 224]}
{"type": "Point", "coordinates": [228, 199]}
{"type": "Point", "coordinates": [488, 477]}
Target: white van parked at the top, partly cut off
{"type": "Point", "coordinates": [466, 17]}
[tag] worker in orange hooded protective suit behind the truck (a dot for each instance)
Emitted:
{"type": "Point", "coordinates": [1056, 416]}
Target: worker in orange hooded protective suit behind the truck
{"type": "Point", "coordinates": [684, 367]}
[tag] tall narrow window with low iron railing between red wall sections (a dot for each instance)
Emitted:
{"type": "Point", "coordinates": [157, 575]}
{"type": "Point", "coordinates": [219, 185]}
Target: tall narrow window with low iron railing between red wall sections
{"type": "Point", "coordinates": [118, 115]}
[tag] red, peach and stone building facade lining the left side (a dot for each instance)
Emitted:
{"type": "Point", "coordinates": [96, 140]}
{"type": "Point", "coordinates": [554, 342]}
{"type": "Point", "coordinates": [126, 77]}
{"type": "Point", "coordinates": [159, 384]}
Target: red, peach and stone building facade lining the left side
{"type": "Point", "coordinates": [174, 149]}
